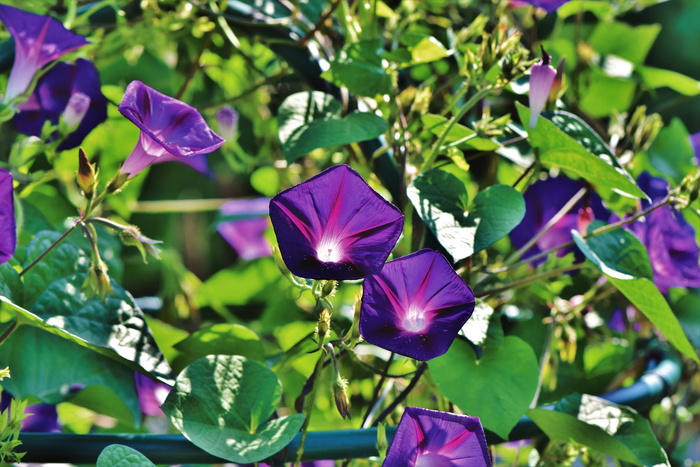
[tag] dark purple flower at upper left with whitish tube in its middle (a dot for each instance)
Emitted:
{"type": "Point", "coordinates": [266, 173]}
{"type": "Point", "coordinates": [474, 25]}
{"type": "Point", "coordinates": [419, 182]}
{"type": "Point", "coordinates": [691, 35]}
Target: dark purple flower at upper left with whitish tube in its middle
{"type": "Point", "coordinates": [68, 92]}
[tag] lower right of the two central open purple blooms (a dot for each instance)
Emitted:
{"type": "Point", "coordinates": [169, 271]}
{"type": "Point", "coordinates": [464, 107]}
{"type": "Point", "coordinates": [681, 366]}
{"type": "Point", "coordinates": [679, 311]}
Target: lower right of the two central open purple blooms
{"type": "Point", "coordinates": [415, 306]}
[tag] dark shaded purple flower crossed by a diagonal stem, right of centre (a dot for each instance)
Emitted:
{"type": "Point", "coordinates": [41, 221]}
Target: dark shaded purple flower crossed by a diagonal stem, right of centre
{"type": "Point", "coordinates": [543, 200]}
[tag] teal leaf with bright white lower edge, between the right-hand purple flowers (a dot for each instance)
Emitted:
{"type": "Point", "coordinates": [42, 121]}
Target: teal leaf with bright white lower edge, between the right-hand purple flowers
{"type": "Point", "coordinates": [617, 253]}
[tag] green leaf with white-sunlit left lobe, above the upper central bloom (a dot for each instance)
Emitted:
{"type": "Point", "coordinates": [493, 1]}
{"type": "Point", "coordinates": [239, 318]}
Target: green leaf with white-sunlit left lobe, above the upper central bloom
{"type": "Point", "coordinates": [311, 120]}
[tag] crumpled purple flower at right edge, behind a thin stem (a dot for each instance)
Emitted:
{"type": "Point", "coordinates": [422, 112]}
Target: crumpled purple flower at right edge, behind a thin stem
{"type": "Point", "coordinates": [669, 239]}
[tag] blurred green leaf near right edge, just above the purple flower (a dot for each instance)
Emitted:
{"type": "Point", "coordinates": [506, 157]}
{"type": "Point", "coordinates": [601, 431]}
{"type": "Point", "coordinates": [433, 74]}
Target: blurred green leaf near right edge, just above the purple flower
{"type": "Point", "coordinates": [671, 151]}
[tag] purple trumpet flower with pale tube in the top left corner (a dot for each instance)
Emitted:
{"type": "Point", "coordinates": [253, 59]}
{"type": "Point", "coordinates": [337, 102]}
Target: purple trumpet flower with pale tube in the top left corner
{"type": "Point", "coordinates": [39, 40]}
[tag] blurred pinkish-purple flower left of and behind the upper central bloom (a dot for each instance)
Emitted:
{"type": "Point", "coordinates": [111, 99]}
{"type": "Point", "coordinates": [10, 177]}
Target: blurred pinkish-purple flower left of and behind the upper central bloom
{"type": "Point", "coordinates": [245, 231]}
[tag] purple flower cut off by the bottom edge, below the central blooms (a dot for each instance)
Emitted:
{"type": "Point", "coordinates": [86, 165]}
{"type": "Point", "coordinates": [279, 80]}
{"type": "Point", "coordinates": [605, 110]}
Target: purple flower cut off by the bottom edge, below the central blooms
{"type": "Point", "coordinates": [429, 438]}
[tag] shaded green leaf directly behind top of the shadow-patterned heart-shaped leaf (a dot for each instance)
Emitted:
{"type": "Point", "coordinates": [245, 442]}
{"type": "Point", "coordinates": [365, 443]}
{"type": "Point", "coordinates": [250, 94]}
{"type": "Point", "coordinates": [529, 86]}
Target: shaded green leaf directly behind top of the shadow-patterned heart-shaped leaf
{"type": "Point", "coordinates": [220, 339]}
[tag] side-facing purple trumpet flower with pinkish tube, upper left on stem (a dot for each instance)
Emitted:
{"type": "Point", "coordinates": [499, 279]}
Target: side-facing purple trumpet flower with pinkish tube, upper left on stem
{"type": "Point", "coordinates": [170, 130]}
